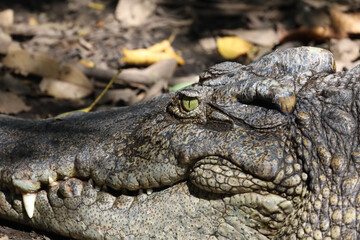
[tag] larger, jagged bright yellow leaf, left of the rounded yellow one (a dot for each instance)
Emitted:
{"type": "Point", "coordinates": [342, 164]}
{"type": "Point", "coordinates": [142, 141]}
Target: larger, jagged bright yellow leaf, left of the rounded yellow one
{"type": "Point", "coordinates": [153, 54]}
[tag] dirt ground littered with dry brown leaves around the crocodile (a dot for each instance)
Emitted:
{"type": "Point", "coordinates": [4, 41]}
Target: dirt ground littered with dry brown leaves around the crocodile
{"type": "Point", "coordinates": [89, 36]}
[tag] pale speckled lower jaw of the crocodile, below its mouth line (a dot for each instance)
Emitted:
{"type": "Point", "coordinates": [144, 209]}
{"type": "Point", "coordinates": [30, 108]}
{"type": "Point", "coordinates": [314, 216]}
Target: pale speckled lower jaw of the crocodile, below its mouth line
{"type": "Point", "coordinates": [79, 210]}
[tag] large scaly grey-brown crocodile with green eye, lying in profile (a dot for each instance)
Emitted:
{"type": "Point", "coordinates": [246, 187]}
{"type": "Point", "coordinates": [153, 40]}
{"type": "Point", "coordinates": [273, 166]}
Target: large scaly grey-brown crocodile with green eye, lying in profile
{"type": "Point", "coordinates": [268, 150]}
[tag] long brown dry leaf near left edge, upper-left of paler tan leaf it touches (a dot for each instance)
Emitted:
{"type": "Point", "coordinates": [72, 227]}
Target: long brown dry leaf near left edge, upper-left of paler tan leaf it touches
{"type": "Point", "coordinates": [26, 63]}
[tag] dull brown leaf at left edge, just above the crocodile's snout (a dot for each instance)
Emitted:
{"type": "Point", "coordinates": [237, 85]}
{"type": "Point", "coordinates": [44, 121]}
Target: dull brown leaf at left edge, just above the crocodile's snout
{"type": "Point", "coordinates": [10, 103]}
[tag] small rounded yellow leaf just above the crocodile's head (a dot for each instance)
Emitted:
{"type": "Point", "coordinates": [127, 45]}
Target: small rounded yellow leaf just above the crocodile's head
{"type": "Point", "coordinates": [233, 47]}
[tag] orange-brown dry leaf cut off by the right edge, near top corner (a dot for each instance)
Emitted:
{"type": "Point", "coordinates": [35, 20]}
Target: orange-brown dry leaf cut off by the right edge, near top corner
{"type": "Point", "coordinates": [346, 22]}
